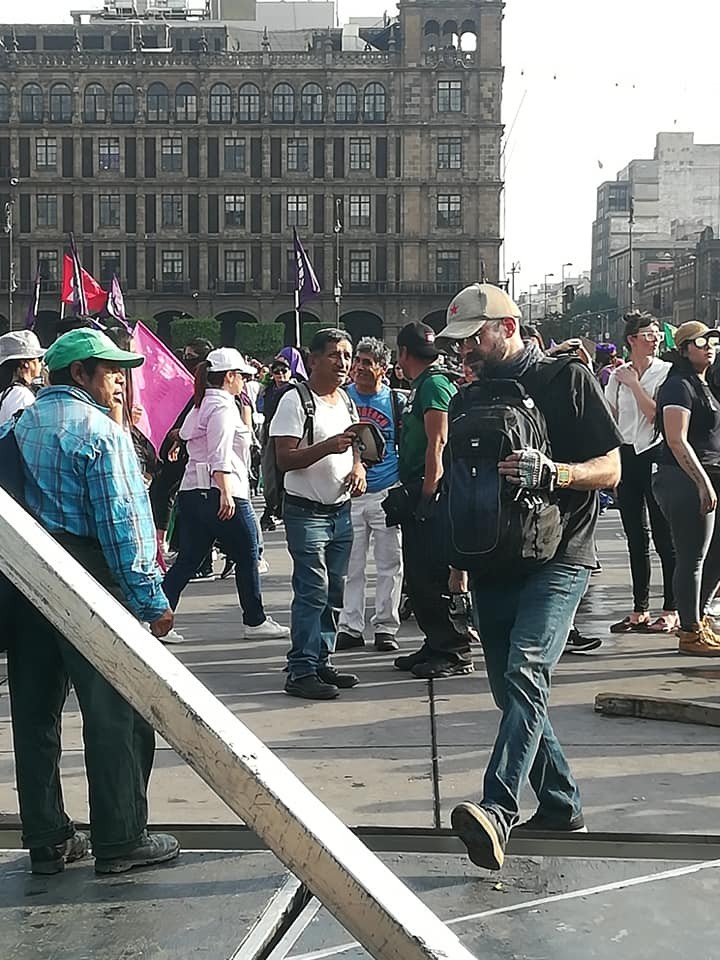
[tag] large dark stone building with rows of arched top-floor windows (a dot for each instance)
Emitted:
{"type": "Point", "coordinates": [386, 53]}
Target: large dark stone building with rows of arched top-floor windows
{"type": "Point", "coordinates": [182, 151]}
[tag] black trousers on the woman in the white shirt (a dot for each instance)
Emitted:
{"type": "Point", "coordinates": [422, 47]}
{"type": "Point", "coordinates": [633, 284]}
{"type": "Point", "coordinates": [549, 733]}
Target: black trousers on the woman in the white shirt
{"type": "Point", "coordinates": [636, 501]}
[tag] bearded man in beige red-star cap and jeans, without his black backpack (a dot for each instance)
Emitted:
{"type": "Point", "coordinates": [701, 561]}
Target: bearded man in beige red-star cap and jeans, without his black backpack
{"type": "Point", "coordinates": [524, 618]}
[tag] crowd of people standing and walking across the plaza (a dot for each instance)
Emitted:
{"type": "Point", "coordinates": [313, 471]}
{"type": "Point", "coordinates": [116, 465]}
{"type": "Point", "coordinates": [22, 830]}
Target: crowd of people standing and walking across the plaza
{"type": "Point", "coordinates": [356, 451]}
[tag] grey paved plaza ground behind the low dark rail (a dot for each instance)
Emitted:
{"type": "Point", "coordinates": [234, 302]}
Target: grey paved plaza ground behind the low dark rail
{"type": "Point", "coordinates": [369, 755]}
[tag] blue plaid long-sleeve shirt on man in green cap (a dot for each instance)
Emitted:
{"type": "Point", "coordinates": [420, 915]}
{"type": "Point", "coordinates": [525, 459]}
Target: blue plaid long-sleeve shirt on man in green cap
{"type": "Point", "coordinates": [82, 477]}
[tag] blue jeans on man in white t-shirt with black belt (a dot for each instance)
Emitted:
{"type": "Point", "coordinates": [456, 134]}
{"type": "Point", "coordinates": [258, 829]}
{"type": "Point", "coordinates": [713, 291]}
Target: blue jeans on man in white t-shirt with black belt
{"type": "Point", "coordinates": [319, 544]}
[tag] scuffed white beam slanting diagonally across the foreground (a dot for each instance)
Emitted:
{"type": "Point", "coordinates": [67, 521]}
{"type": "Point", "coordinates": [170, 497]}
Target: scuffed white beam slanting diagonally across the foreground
{"type": "Point", "coordinates": [356, 887]}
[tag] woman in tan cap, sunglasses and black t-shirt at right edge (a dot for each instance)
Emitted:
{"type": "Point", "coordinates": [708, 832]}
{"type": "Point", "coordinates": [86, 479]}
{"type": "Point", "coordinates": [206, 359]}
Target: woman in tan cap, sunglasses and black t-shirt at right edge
{"type": "Point", "coordinates": [687, 482]}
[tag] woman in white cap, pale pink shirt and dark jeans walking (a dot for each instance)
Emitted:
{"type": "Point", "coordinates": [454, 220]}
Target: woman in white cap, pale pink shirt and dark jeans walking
{"type": "Point", "coordinates": [214, 498]}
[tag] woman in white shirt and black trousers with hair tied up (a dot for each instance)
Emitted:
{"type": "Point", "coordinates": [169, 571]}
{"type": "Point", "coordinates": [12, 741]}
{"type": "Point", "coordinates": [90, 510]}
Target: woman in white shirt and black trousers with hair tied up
{"type": "Point", "coordinates": [631, 393]}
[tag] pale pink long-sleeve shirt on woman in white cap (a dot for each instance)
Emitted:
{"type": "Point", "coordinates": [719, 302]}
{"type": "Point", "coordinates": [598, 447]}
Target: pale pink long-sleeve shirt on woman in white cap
{"type": "Point", "coordinates": [217, 440]}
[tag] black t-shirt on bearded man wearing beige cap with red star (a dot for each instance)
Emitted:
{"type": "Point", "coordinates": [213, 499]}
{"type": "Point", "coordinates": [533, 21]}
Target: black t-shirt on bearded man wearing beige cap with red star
{"type": "Point", "coordinates": [580, 427]}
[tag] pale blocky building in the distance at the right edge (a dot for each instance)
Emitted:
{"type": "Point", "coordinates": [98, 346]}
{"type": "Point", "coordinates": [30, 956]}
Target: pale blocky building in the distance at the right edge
{"type": "Point", "coordinates": [673, 197]}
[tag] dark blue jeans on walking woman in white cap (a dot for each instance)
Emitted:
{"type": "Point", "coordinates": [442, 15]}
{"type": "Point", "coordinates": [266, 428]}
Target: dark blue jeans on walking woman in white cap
{"type": "Point", "coordinates": [199, 528]}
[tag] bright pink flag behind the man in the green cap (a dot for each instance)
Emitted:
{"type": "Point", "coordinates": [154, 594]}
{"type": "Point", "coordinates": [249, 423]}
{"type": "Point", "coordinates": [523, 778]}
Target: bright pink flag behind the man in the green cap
{"type": "Point", "coordinates": [161, 386]}
